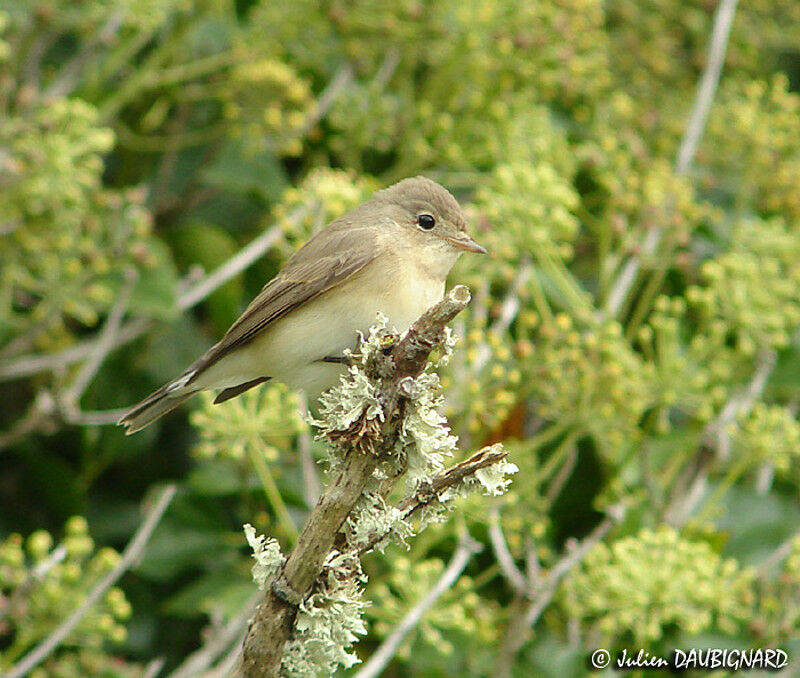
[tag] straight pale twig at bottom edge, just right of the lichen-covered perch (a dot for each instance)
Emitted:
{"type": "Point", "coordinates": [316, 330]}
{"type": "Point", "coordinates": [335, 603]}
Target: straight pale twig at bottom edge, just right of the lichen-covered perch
{"type": "Point", "coordinates": [388, 648]}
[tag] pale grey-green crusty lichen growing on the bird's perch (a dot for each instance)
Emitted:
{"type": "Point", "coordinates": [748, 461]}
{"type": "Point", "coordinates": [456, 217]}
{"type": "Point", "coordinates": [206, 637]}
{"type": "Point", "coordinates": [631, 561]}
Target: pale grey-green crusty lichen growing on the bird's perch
{"type": "Point", "coordinates": [329, 620]}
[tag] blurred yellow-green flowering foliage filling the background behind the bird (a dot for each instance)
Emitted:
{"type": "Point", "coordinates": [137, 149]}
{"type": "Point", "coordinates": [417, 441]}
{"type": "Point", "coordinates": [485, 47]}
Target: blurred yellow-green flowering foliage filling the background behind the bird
{"type": "Point", "coordinates": [142, 143]}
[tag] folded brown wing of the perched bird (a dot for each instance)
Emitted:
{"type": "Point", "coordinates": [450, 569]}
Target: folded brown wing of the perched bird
{"type": "Point", "coordinates": [328, 259]}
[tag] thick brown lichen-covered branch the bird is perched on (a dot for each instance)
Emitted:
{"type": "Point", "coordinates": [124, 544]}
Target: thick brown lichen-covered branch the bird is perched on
{"type": "Point", "coordinates": [364, 445]}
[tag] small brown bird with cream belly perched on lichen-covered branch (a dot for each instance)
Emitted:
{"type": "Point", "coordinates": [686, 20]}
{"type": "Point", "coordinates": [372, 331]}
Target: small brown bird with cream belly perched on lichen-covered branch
{"type": "Point", "coordinates": [389, 255]}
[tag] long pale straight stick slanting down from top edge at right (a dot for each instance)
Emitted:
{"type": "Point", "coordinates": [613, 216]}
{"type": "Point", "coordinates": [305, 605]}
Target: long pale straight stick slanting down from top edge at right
{"type": "Point", "coordinates": [688, 148]}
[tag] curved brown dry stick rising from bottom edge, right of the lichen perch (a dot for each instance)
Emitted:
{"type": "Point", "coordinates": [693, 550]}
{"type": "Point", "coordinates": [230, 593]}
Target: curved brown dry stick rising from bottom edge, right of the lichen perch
{"type": "Point", "coordinates": [541, 592]}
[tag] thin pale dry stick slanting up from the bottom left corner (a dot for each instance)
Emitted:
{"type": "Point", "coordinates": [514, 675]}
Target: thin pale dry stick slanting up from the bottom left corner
{"type": "Point", "coordinates": [130, 555]}
